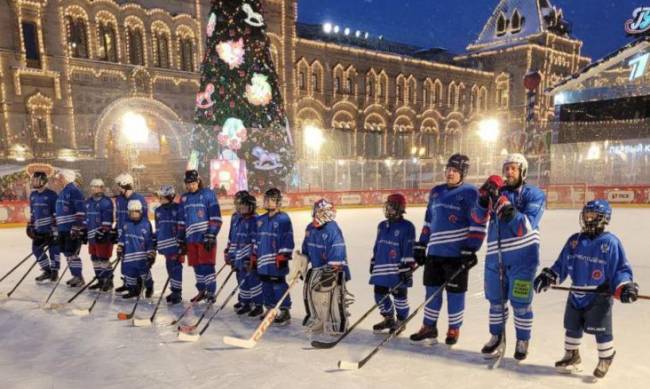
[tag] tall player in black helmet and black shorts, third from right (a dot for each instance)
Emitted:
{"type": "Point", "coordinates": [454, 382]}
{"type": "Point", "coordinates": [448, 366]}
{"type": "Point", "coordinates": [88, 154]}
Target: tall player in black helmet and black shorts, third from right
{"type": "Point", "coordinates": [454, 229]}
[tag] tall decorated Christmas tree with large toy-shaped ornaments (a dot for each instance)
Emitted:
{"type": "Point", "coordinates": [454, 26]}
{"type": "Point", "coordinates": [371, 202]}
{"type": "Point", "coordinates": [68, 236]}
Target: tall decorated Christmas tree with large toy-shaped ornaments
{"type": "Point", "coordinates": [241, 130]}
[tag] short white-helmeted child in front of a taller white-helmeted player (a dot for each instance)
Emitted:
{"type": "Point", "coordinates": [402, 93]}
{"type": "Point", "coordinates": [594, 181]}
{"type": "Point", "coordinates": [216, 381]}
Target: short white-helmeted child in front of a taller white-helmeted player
{"type": "Point", "coordinates": [137, 250]}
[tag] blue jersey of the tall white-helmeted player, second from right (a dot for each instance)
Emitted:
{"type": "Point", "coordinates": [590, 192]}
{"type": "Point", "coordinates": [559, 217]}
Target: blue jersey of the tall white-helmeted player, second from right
{"type": "Point", "coordinates": [519, 237]}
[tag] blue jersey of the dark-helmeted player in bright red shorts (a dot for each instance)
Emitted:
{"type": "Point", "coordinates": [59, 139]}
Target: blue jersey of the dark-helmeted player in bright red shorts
{"type": "Point", "coordinates": [198, 213]}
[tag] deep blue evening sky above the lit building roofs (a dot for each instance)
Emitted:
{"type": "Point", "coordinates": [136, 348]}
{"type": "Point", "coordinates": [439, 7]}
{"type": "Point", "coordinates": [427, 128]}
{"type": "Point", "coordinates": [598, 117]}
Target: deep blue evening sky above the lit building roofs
{"type": "Point", "coordinates": [452, 24]}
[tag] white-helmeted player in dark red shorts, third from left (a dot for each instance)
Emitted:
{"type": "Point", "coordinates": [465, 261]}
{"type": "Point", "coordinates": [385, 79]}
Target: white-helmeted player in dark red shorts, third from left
{"type": "Point", "coordinates": [99, 220]}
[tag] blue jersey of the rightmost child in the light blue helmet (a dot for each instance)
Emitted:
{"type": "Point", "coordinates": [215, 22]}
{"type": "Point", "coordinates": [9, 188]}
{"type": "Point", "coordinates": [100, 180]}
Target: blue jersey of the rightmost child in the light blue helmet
{"type": "Point", "coordinates": [591, 263]}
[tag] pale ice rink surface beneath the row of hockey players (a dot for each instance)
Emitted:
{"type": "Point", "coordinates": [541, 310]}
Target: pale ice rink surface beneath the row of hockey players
{"type": "Point", "coordinates": [56, 349]}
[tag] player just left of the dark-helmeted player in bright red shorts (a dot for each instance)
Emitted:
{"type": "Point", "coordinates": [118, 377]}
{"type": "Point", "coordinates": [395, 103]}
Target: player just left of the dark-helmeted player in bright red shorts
{"type": "Point", "coordinates": [166, 241]}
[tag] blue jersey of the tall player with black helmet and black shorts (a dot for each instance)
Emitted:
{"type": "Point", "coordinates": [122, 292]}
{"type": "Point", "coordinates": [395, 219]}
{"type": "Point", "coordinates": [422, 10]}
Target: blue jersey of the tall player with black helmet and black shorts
{"type": "Point", "coordinates": [453, 221]}
